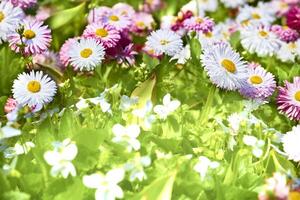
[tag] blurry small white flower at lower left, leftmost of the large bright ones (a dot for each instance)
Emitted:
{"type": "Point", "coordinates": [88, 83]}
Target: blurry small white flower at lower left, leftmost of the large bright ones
{"type": "Point", "coordinates": [60, 158]}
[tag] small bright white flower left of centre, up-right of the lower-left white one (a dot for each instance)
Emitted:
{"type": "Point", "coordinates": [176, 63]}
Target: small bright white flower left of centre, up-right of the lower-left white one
{"type": "Point", "coordinates": [127, 136]}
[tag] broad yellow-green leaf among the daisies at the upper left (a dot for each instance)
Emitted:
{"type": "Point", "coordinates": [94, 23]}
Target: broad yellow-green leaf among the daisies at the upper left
{"type": "Point", "coordinates": [61, 18]}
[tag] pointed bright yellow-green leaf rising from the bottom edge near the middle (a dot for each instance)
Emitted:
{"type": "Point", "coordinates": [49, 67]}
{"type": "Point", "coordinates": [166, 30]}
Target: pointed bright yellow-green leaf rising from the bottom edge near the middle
{"type": "Point", "coordinates": [160, 189]}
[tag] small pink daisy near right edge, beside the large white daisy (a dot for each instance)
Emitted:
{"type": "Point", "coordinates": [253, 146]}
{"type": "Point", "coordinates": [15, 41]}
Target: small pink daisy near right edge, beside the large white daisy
{"type": "Point", "coordinates": [285, 33]}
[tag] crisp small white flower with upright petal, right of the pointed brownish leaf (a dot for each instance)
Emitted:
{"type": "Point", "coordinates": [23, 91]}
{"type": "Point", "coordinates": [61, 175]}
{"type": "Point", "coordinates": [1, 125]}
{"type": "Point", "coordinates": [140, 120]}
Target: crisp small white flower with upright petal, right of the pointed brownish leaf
{"type": "Point", "coordinates": [167, 108]}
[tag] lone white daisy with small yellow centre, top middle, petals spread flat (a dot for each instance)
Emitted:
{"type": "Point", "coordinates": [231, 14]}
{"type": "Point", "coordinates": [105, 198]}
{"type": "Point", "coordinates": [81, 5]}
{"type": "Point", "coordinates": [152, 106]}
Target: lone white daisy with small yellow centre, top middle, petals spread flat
{"type": "Point", "coordinates": [164, 41]}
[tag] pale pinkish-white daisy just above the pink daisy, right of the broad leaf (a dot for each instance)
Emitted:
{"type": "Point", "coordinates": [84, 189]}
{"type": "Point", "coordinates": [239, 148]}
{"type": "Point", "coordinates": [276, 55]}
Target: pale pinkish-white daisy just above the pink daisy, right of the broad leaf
{"type": "Point", "coordinates": [116, 19]}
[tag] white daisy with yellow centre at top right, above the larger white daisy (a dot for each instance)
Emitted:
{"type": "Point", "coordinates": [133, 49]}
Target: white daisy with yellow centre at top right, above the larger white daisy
{"type": "Point", "coordinates": [254, 15]}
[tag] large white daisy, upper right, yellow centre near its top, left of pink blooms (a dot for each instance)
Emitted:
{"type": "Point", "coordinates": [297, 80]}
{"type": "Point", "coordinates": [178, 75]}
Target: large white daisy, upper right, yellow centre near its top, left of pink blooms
{"type": "Point", "coordinates": [260, 40]}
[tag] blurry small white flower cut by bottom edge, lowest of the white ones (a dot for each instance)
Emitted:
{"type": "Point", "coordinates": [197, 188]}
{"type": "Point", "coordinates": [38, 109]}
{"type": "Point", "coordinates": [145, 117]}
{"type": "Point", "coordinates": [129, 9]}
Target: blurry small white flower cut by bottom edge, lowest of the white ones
{"type": "Point", "coordinates": [106, 185]}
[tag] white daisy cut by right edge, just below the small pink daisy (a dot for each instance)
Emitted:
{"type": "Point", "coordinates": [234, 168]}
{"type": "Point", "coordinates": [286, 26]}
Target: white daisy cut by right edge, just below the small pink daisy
{"type": "Point", "coordinates": [289, 51]}
